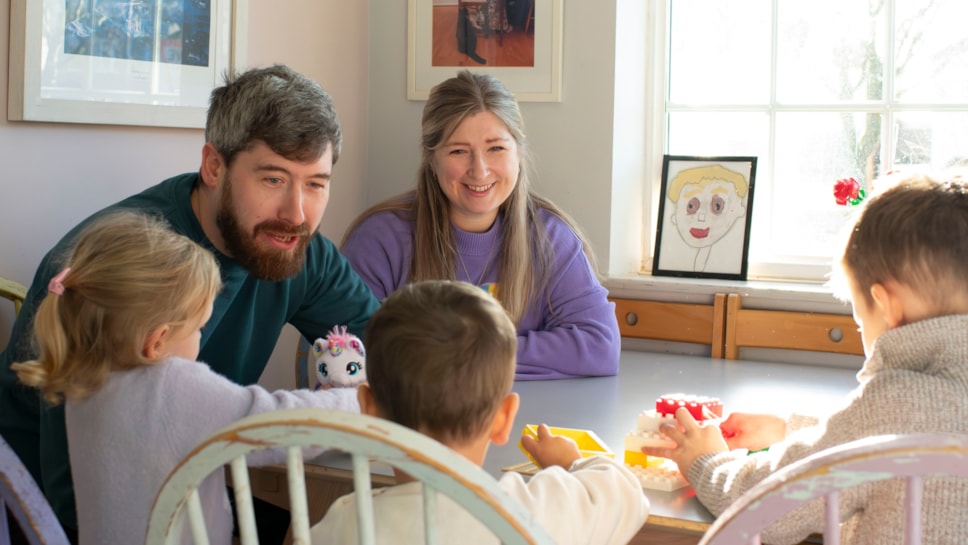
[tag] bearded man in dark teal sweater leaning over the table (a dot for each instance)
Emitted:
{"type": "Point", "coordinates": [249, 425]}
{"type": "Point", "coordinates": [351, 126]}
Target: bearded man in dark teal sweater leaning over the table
{"type": "Point", "coordinates": [271, 139]}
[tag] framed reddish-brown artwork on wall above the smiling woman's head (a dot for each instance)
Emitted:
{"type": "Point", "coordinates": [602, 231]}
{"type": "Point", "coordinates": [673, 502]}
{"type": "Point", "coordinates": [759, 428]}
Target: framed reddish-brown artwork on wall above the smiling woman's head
{"type": "Point", "coordinates": [518, 42]}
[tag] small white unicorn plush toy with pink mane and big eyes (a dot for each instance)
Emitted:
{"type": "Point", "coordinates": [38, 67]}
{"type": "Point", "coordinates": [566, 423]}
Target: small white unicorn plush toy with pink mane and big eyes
{"type": "Point", "coordinates": [340, 360]}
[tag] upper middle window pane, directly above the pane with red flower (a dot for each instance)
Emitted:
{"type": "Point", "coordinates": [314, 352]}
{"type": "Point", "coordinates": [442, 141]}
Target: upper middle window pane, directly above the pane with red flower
{"type": "Point", "coordinates": [829, 51]}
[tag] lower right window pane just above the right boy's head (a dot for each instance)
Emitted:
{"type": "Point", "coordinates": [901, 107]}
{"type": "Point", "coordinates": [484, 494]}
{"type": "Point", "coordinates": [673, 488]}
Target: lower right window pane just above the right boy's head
{"type": "Point", "coordinates": [931, 139]}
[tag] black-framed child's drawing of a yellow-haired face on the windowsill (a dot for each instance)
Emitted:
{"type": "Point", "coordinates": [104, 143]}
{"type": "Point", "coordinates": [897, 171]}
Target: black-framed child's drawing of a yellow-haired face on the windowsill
{"type": "Point", "coordinates": [705, 208]}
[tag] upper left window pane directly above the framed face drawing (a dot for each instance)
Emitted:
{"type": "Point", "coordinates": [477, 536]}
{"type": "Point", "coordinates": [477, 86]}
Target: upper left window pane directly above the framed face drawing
{"type": "Point", "coordinates": [719, 52]}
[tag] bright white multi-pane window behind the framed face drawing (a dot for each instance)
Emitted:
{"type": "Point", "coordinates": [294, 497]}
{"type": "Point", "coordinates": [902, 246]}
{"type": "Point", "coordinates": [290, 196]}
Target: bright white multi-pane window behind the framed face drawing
{"type": "Point", "coordinates": [818, 91]}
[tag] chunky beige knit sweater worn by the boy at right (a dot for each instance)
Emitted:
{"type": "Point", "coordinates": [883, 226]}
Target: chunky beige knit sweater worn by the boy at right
{"type": "Point", "coordinates": [915, 381]}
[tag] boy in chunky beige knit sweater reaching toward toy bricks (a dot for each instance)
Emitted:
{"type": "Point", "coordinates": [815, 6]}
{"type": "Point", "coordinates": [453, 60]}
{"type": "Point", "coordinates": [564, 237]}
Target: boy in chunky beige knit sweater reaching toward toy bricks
{"type": "Point", "coordinates": [905, 267]}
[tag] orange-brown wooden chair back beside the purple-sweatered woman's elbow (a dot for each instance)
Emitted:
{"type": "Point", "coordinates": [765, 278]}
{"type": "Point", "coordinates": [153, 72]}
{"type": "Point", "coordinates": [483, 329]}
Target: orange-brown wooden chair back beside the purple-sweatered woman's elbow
{"type": "Point", "coordinates": [678, 322]}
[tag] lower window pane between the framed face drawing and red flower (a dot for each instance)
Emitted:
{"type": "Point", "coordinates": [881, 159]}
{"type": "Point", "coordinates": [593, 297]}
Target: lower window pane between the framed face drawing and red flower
{"type": "Point", "coordinates": [813, 150]}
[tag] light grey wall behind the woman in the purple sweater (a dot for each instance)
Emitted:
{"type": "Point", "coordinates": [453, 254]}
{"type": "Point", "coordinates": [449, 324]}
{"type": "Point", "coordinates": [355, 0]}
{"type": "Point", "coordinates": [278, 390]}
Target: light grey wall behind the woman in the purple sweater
{"type": "Point", "coordinates": [572, 140]}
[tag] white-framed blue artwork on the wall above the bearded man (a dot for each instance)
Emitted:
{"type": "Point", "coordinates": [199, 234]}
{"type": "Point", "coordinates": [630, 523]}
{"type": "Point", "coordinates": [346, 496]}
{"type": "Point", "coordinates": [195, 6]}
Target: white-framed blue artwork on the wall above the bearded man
{"type": "Point", "coordinates": [122, 63]}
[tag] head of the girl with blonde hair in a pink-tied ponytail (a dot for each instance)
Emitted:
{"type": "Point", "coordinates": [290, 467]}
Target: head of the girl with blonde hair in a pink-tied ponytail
{"type": "Point", "coordinates": [132, 285]}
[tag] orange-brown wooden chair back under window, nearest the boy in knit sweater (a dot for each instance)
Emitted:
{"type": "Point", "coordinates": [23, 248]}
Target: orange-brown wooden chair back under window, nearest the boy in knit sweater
{"type": "Point", "coordinates": [788, 330]}
